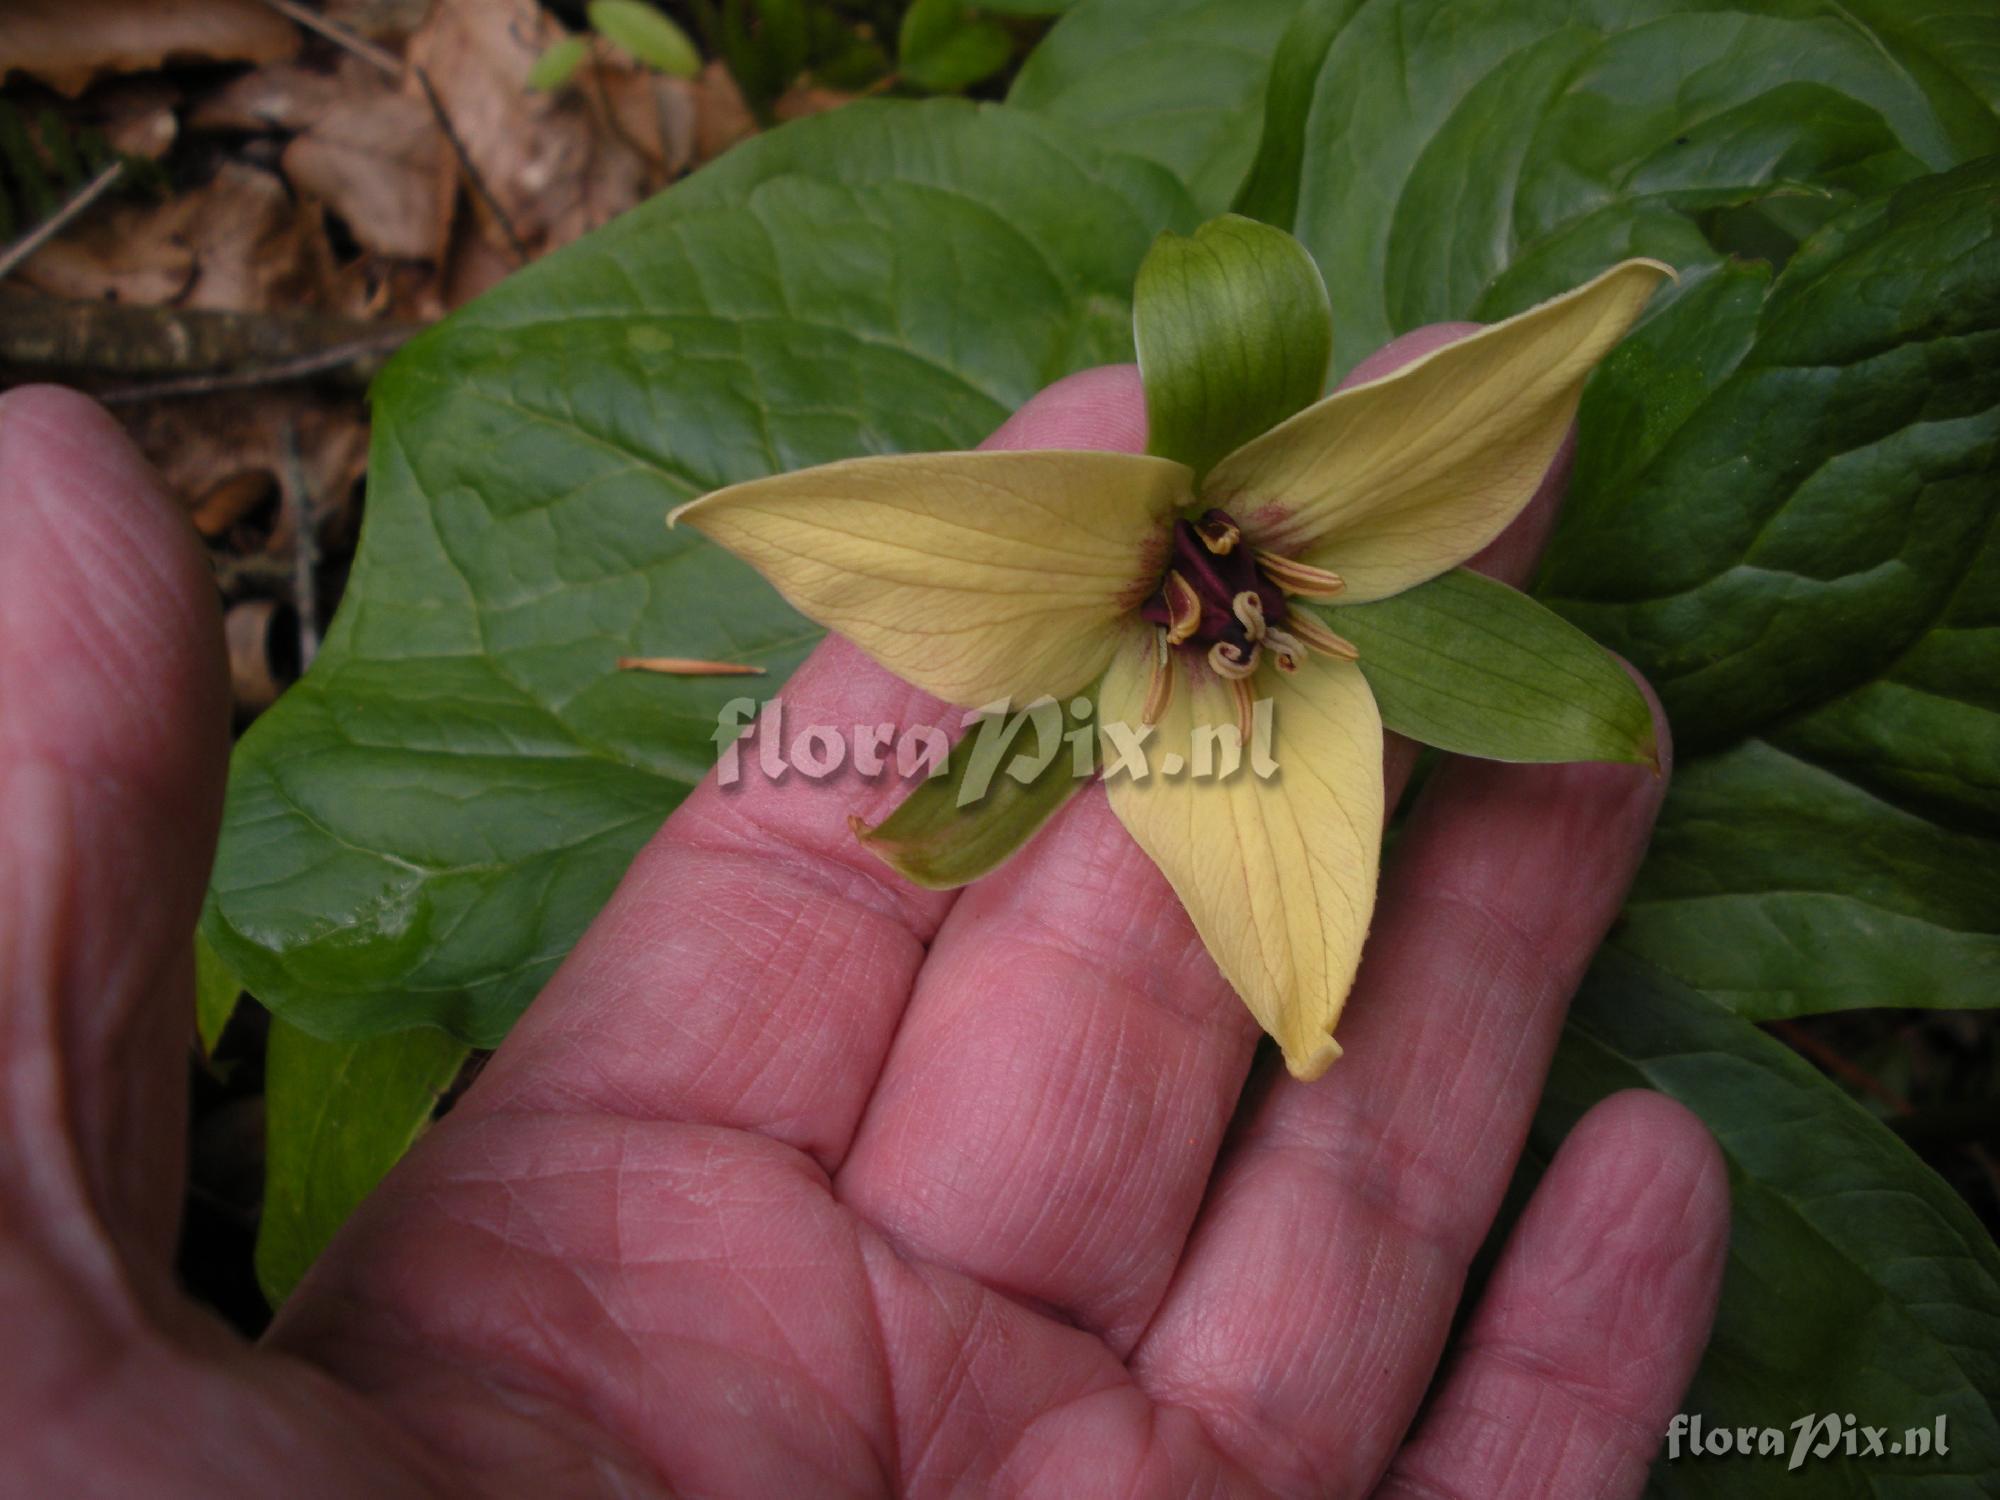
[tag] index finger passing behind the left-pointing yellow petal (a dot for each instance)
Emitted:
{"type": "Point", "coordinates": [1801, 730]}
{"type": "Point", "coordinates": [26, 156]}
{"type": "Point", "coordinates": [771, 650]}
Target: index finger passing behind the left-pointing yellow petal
{"type": "Point", "coordinates": [757, 959]}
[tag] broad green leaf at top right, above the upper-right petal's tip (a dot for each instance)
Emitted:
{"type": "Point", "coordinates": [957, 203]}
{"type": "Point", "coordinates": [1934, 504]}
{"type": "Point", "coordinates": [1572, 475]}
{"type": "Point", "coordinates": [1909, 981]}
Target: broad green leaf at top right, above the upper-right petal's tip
{"type": "Point", "coordinates": [1451, 161]}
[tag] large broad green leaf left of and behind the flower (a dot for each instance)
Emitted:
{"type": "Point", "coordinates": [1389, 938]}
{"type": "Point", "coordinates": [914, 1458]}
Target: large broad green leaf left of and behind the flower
{"type": "Point", "coordinates": [421, 829]}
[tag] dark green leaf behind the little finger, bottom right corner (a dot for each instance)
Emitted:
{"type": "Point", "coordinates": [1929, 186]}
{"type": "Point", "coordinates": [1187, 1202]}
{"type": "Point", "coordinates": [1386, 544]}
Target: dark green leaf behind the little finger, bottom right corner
{"type": "Point", "coordinates": [1857, 1281]}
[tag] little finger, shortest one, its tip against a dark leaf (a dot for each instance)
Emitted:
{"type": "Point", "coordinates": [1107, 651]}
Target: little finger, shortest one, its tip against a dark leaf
{"type": "Point", "coordinates": [1595, 1319]}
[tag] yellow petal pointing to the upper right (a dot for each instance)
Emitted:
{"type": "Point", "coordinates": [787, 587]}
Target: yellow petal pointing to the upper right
{"type": "Point", "coordinates": [1407, 477]}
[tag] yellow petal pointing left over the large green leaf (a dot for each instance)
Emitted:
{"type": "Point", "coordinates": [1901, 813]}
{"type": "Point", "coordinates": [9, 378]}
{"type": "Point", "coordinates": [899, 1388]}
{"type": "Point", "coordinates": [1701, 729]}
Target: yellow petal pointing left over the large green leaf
{"type": "Point", "coordinates": [977, 577]}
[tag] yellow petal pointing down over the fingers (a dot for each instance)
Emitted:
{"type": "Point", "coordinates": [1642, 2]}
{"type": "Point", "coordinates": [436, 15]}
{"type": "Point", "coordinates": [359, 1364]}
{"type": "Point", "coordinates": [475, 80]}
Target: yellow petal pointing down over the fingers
{"type": "Point", "coordinates": [1279, 875]}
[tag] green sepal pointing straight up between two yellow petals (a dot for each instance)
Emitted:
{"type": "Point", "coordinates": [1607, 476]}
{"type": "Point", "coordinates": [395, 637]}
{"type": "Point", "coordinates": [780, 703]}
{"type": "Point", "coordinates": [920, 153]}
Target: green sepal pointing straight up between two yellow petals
{"type": "Point", "coordinates": [1233, 337]}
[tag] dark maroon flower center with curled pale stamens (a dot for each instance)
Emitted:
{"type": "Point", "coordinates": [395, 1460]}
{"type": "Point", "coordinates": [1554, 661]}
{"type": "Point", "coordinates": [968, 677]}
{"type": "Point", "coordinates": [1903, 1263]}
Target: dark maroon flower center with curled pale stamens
{"type": "Point", "coordinates": [1225, 603]}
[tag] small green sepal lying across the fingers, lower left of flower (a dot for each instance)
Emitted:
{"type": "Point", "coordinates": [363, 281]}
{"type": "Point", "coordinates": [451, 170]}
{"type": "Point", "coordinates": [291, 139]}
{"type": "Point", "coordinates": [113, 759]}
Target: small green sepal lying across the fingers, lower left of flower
{"type": "Point", "coordinates": [1003, 781]}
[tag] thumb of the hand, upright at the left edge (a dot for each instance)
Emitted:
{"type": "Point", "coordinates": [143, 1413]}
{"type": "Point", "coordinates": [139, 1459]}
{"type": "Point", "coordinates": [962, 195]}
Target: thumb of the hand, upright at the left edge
{"type": "Point", "coordinates": [113, 745]}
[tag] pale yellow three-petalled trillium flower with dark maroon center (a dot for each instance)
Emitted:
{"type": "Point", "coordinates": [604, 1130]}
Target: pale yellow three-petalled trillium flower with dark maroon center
{"type": "Point", "coordinates": [1183, 597]}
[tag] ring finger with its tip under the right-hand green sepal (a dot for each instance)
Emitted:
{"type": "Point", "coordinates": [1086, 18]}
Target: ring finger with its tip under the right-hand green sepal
{"type": "Point", "coordinates": [1319, 1289]}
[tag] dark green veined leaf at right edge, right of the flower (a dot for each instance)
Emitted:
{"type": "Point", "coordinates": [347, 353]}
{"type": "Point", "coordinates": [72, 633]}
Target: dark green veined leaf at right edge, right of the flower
{"type": "Point", "coordinates": [1799, 503]}
